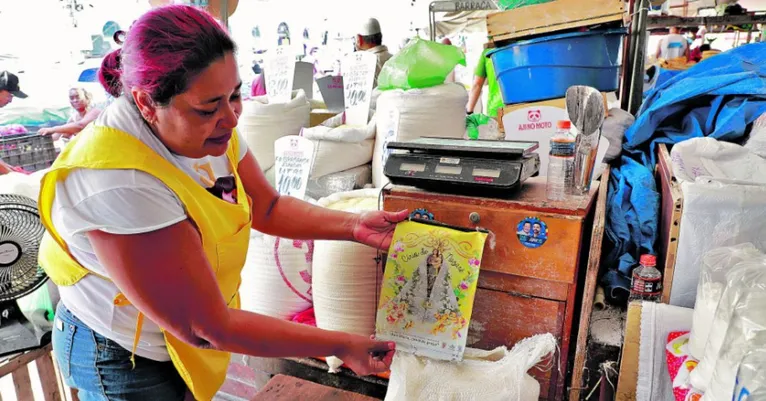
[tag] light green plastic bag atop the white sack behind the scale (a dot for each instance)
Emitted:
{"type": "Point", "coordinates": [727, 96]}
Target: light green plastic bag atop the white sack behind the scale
{"type": "Point", "coordinates": [420, 64]}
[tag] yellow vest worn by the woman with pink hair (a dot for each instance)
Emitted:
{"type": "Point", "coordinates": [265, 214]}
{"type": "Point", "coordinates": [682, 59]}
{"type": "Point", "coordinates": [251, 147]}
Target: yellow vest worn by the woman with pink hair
{"type": "Point", "coordinates": [223, 226]}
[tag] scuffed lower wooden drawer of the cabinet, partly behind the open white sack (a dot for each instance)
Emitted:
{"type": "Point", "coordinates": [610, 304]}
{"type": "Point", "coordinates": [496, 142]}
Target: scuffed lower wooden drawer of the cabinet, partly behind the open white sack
{"type": "Point", "coordinates": [501, 318]}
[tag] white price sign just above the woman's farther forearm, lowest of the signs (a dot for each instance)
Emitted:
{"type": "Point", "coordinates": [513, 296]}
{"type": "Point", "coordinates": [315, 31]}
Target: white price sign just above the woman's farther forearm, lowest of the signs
{"type": "Point", "coordinates": [294, 157]}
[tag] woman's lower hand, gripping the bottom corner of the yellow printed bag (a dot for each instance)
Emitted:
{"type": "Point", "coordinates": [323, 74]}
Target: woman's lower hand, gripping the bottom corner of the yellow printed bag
{"type": "Point", "coordinates": [367, 356]}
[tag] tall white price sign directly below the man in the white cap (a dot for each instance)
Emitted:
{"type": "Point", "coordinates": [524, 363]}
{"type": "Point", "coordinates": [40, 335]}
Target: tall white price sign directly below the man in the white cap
{"type": "Point", "coordinates": [358, 77]}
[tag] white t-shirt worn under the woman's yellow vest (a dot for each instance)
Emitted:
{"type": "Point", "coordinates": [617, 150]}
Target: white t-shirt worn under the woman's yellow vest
{"type": "Point", "coordinates": [124, 202]}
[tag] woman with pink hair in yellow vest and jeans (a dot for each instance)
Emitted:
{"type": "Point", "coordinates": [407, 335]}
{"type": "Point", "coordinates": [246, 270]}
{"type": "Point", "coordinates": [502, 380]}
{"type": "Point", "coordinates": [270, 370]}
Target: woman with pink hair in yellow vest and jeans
{"type": "Point", "coordinates": [148, 214]}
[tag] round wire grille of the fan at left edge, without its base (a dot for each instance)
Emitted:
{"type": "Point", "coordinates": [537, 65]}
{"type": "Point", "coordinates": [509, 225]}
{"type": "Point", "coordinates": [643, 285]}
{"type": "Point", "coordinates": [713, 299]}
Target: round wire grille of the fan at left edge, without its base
{"type": "Point", "coordinates": [20, 234]}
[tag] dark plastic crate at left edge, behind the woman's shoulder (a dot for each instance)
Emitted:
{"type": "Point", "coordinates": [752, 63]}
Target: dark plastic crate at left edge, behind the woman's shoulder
{"type": "Point", "coordinates": [32, 152]}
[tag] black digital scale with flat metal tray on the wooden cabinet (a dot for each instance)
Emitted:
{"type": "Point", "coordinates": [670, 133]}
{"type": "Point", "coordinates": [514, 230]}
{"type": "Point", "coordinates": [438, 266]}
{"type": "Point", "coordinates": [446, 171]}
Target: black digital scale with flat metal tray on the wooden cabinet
{"type": "Point", "coordinates": [470, 167]}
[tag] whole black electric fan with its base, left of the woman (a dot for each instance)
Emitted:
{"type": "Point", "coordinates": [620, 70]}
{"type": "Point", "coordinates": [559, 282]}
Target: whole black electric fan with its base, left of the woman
{"type": "Point", "coordinates": [20, 235]}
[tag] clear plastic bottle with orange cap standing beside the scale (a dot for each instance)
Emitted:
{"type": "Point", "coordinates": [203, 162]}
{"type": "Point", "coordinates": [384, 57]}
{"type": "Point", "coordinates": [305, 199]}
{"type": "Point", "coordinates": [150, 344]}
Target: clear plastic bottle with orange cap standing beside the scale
{"type": "Point", "coordinates": [560, 163]}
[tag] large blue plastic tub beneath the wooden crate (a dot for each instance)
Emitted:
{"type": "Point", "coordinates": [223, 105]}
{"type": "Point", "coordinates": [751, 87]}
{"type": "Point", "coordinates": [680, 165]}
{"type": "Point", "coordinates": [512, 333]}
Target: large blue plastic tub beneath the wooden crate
{"type": "Point", "coordinates": [544, 68]}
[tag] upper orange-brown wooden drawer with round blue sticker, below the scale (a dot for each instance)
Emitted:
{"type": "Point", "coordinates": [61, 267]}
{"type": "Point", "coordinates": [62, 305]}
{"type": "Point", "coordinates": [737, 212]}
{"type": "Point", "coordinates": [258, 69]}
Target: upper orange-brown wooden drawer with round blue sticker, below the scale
{"type": "Point", "coordinates": [555, 260]}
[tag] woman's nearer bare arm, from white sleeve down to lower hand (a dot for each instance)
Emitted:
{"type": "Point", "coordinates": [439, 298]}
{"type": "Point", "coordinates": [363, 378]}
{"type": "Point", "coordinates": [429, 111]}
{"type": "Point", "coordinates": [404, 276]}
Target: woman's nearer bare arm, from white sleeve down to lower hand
{"type": "Point", "coordinates": [166, 275]}
